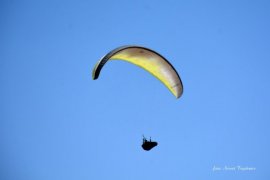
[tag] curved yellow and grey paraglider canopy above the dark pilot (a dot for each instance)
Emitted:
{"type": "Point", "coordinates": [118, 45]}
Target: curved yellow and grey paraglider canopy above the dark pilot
{"type": "Point", "coordinates": [147, 59]}
